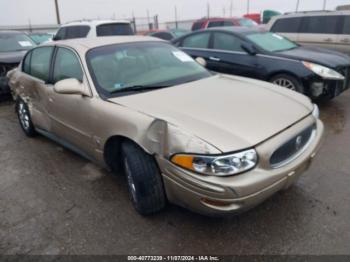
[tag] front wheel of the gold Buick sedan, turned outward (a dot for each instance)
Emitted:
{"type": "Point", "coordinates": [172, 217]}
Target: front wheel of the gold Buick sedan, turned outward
{"type": "Point", "coordinates": [144, 179]}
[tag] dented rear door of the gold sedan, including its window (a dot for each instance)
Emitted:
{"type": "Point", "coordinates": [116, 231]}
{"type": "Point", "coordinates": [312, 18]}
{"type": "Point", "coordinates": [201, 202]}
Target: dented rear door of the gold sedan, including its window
{"type": "Point", "coordinates": [34, 86]}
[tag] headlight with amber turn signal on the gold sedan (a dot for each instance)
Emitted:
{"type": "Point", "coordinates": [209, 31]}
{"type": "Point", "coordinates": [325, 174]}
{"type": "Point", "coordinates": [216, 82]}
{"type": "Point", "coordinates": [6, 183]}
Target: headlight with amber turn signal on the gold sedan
{"type": "Point", "coordinates": [218, 165]}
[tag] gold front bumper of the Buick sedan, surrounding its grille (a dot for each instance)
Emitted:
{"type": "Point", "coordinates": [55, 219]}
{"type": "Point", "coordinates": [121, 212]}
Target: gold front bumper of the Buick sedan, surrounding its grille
{"type": "Point", "coordinates": [211, 195]}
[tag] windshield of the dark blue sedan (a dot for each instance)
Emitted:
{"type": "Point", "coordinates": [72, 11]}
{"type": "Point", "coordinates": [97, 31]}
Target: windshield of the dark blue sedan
{"type": "Point", "coordinates": [272, 42]}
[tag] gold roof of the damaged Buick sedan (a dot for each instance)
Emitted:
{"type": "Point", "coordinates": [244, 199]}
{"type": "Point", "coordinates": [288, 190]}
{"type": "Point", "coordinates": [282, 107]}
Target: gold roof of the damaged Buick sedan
{"type": "Point", "coordinates": [88, 43]}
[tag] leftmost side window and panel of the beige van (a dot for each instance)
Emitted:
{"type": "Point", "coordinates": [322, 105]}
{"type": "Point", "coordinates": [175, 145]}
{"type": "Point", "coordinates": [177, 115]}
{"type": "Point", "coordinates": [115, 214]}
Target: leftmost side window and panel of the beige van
{"type": "Point", "coordinates": [288, 27]}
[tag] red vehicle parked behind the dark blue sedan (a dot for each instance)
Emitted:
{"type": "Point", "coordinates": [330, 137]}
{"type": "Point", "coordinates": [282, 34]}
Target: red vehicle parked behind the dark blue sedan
{"type": "Point", "coordinates": [219, 22]}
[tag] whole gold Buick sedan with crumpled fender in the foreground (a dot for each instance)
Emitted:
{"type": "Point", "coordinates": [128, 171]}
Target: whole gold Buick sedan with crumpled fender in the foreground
{"type": "Point", "coordinates": [179, 132]}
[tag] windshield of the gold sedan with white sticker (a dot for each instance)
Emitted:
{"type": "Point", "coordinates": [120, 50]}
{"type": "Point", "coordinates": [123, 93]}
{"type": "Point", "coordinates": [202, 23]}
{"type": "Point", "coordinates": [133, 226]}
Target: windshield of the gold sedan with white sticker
{"type": "Point", "coordinates": [148, 65]}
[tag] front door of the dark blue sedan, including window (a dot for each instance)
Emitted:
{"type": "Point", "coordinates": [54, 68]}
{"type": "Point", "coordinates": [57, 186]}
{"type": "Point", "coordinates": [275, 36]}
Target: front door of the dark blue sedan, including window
{"type": "Point", "coordinates": [228, 57]}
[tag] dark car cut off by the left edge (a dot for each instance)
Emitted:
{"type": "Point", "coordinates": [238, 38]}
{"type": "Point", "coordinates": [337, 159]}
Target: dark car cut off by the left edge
{"type": "Point", "coordinates": [13, 46]}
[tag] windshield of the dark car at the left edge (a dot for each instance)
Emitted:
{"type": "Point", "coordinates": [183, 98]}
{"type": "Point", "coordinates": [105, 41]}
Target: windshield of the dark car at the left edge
{"type": "Point", "coordinates": [15, 42]}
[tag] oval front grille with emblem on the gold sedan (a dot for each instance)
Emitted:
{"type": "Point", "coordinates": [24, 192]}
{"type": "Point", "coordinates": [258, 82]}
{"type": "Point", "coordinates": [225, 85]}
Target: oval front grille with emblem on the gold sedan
{"type": "Point", "coordinates": [292, 149]}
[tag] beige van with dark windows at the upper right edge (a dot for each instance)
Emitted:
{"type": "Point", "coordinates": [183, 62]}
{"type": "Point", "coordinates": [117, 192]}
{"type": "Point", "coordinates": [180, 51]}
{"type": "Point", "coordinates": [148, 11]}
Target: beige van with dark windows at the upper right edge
{"type": "Point", "coordinates": [318, 29]}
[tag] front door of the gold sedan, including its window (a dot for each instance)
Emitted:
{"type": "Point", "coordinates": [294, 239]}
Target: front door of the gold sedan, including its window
{"type": "Point", "coordinates": [70, 113]}
